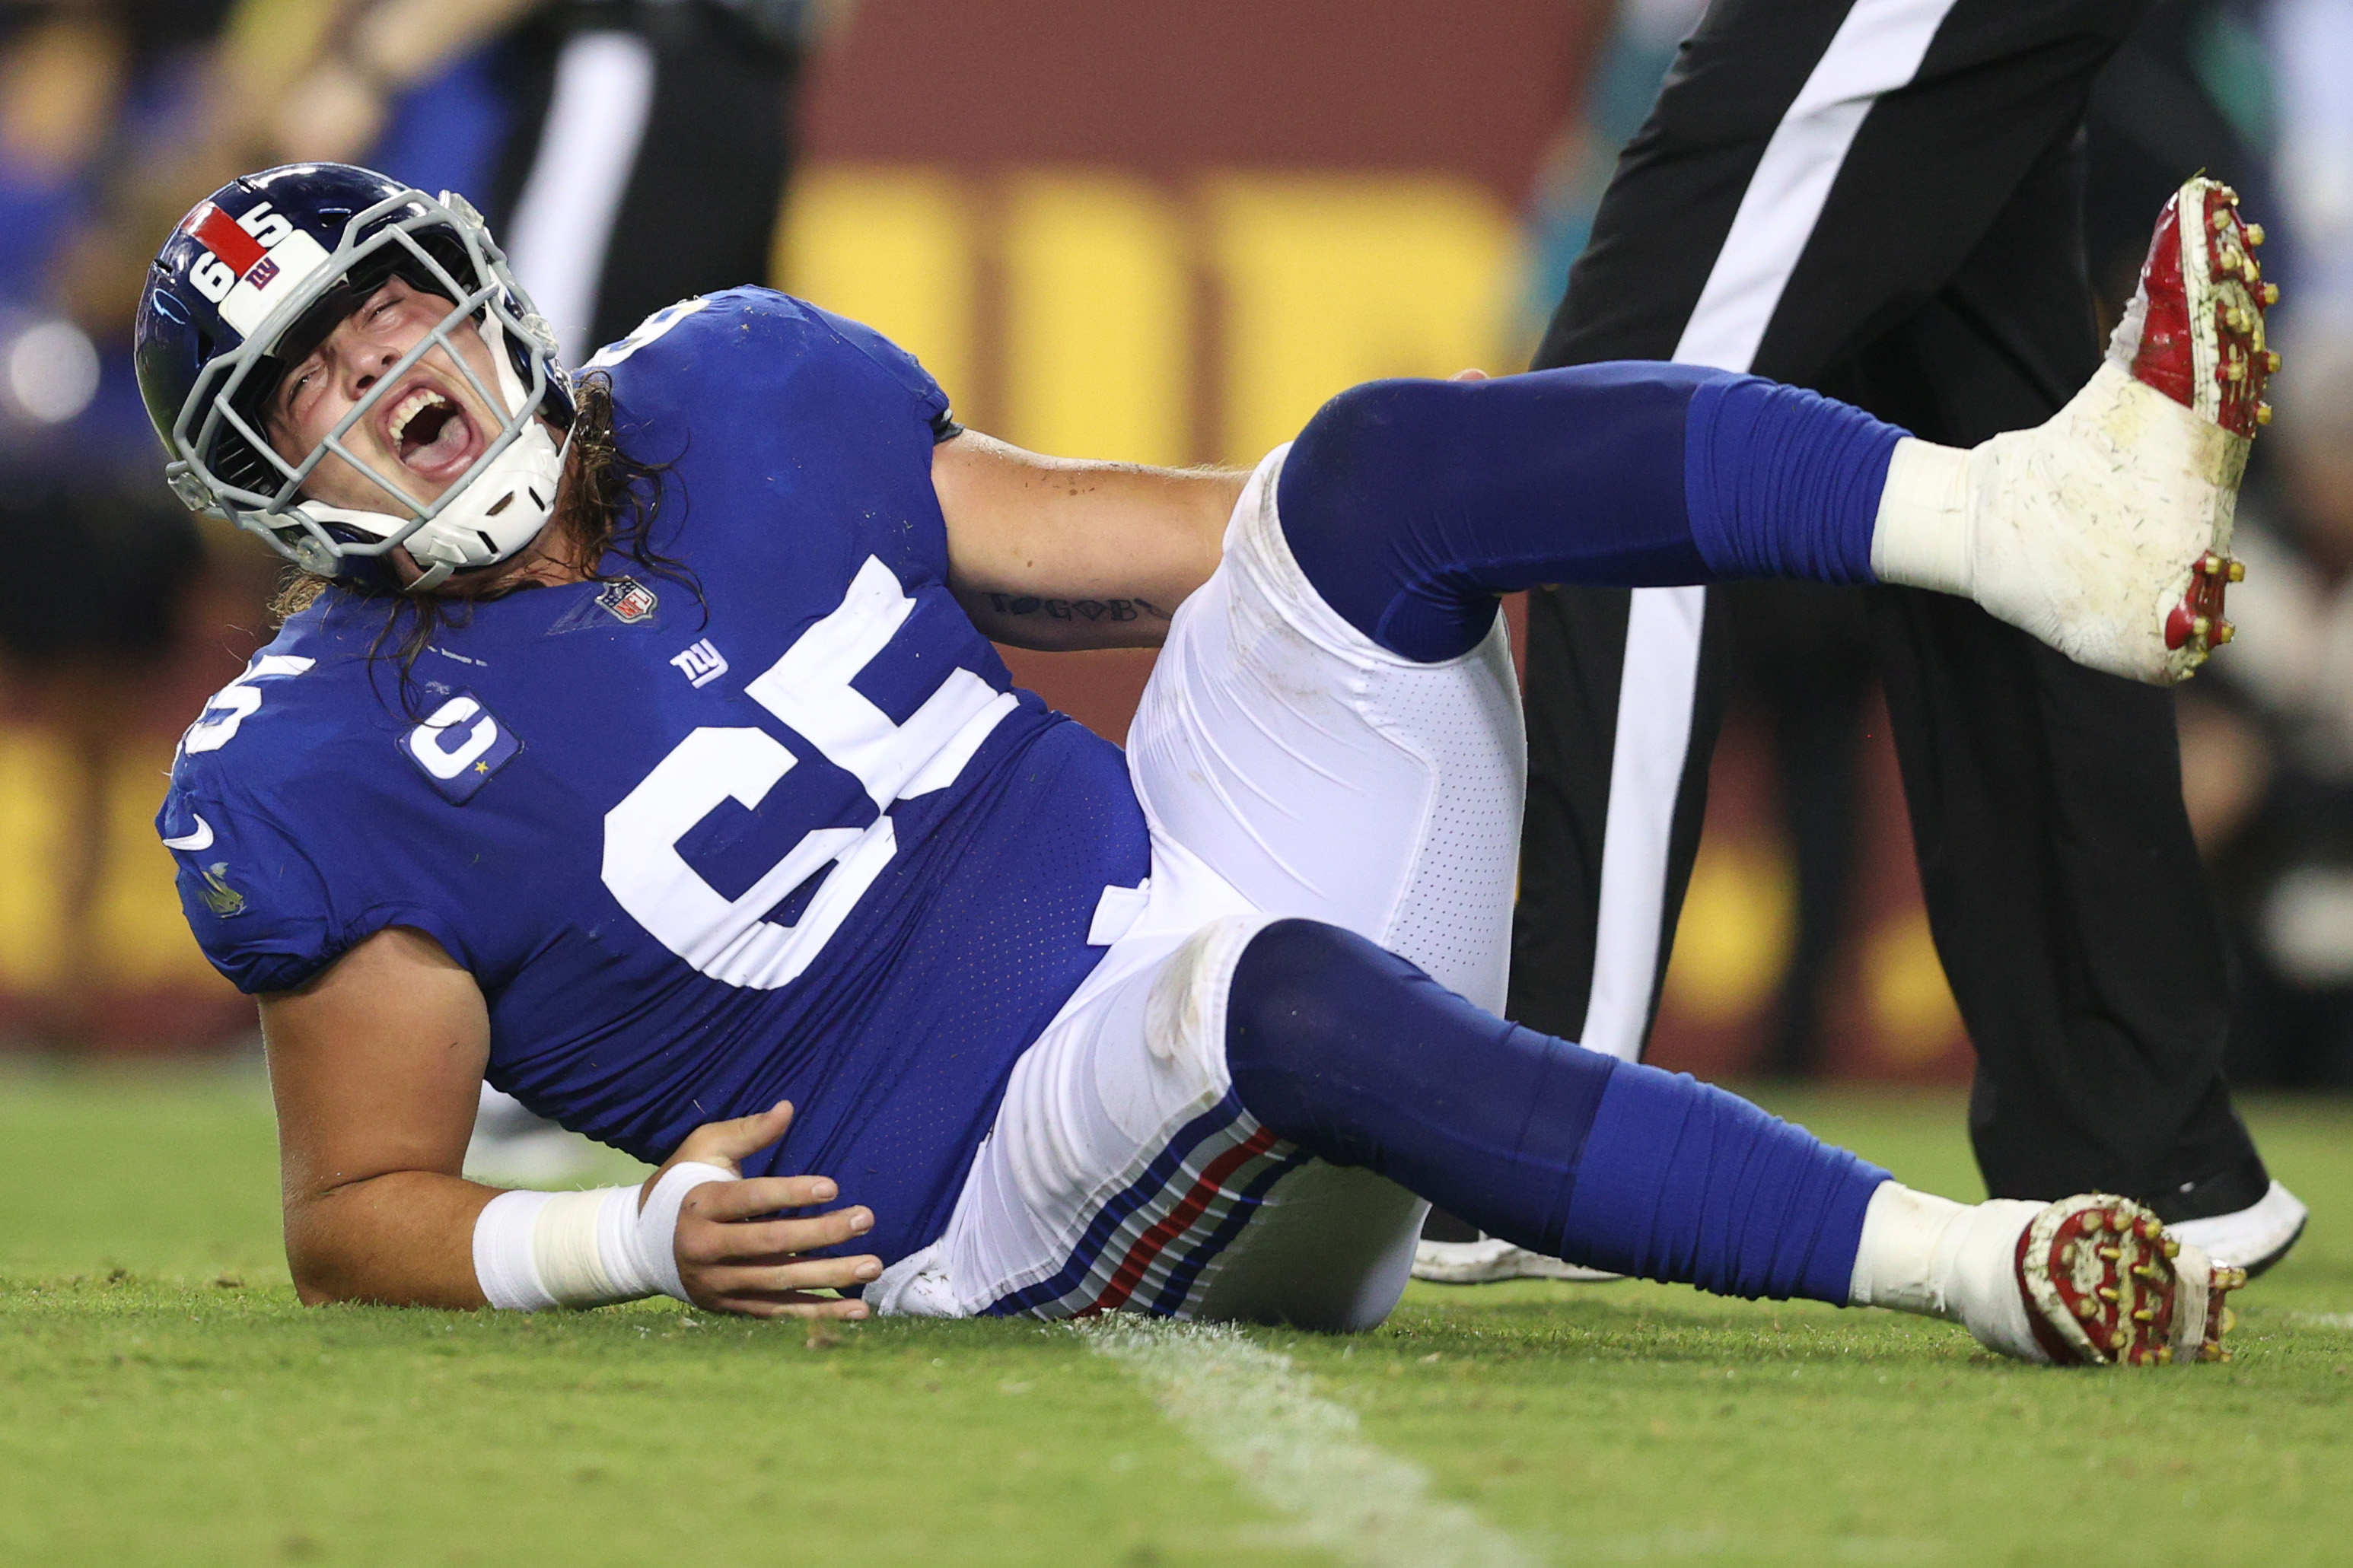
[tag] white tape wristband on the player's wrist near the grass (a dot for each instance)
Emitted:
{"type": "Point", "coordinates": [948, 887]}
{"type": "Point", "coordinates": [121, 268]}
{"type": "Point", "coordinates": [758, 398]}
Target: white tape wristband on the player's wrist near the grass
{"type": "Point", "coordinates": [585, 1249]}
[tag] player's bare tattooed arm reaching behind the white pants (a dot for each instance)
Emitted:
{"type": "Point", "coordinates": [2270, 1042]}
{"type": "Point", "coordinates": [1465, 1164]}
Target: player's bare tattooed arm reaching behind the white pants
{"type": "Point", "coordinates": [1065, 554]}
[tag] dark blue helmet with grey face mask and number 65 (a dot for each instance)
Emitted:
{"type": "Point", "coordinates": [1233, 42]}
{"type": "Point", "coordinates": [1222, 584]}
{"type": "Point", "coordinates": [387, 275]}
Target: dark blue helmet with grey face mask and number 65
{"type": "Point", "coordinates": [255, 279]}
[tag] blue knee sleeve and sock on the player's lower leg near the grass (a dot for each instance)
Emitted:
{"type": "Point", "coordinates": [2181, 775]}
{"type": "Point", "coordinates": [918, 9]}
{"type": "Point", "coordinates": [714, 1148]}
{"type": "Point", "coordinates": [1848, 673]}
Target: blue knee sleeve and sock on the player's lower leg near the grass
{"type": "Point", "coordinates": [1366, 1061]}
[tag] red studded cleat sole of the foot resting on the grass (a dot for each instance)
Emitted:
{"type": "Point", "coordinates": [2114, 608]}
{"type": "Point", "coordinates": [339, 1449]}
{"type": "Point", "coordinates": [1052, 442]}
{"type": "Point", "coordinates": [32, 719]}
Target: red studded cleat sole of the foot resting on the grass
{"type": "Point", "coordinates": [2107, 1287]}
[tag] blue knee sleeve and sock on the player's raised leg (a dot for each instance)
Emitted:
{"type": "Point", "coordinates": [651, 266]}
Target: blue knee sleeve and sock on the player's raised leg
{"type": "Point", "coordinates": [1413, 504]}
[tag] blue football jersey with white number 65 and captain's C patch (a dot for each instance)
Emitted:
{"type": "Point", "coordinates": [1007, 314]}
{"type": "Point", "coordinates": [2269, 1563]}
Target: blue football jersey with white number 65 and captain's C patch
{"type": "Point", "coordinates": [775, 826]}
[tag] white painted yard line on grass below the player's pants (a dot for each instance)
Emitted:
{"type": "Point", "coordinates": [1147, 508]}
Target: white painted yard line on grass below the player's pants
{"type": "Point", "coordinates": [1302, 1454]}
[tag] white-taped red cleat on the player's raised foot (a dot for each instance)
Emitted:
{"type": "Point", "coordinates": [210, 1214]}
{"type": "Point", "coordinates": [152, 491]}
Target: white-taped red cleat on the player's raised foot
{"type": "Point", "coordinates": [2107, 530]}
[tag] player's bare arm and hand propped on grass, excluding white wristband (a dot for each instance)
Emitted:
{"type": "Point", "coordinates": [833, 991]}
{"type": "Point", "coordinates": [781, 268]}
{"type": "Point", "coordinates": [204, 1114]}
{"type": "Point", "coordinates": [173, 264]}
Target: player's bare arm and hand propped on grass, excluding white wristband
{"type": "Point", "coordinates": [378, 1066]}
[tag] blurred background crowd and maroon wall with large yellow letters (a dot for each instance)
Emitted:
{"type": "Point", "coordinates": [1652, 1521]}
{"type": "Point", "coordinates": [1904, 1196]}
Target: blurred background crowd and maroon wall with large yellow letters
{"type": "Point", "coordinates": [1154, 234]}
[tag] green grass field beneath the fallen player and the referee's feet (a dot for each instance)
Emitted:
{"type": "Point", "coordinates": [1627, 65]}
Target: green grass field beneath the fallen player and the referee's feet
{"type": "Point", "coordinates": [166, 1402]}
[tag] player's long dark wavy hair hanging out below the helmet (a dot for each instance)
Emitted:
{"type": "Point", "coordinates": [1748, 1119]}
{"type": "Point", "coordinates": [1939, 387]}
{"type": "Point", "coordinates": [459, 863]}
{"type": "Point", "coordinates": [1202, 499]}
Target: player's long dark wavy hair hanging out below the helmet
{"type": "Point", "coordinates": [611, 504]}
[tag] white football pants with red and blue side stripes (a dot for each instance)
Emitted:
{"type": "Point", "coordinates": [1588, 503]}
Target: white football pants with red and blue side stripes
{"type": "Point", "coordinates": [1288, 768]}
